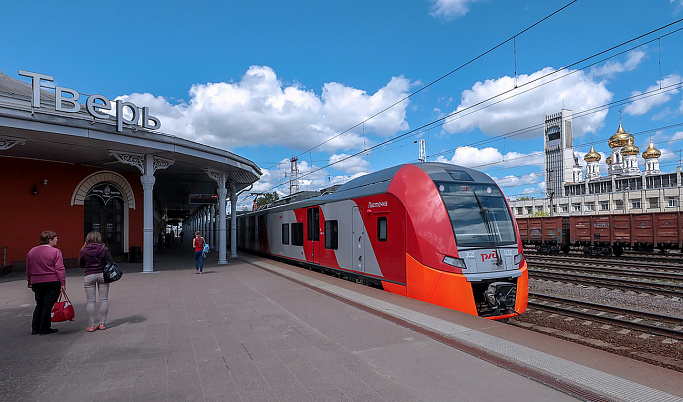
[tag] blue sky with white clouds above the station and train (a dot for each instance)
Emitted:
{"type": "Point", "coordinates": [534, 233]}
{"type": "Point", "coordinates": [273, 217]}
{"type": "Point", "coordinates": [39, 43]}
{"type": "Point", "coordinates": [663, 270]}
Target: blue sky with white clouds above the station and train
{"type": "Point", "coordinates": [271, 80]}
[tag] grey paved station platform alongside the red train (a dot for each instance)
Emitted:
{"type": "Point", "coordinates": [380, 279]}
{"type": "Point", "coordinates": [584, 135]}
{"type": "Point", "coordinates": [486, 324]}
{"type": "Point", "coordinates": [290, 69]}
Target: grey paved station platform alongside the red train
{"type": "Point", "coordinates": [244, 331]}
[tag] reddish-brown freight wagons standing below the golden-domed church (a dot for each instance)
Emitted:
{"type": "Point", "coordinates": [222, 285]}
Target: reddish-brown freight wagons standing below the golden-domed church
{"type": "Point", "coordinates": [604, 234]}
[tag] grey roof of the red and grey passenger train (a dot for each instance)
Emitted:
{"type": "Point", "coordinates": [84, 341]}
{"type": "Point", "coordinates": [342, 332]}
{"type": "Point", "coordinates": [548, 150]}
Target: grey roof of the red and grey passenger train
{"type": "Point", "coordinates": [378, 182]}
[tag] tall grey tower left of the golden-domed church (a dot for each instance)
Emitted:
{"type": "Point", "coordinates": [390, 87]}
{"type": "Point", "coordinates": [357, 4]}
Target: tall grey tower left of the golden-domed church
{"type": "Point", "coordinates": [559, 155]}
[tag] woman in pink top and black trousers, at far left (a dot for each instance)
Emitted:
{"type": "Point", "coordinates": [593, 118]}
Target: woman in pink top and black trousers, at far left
{"type": "Point", "coordinates": [47, 278]}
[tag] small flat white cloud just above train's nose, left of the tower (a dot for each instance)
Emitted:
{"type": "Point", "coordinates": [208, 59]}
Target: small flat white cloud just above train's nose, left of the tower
{"type": "Point", "coordinates": [479, 158]}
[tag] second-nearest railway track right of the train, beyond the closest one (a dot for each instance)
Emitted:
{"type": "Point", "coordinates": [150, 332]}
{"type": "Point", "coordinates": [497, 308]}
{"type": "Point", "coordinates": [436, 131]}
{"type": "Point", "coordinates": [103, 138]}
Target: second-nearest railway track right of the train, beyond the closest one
{"type": "Point", "coordinates": [665, 289]}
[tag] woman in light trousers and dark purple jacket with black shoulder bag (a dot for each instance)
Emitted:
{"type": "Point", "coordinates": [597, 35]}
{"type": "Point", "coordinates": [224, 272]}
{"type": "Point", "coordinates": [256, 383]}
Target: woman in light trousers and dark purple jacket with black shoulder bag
{"type": "Point", "coordinates": [92, 258]}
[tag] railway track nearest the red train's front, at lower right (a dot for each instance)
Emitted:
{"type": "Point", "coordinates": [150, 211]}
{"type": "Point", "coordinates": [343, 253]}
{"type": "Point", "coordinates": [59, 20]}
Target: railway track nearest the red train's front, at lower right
{"type": "Point", "coordinates": [646, 322]}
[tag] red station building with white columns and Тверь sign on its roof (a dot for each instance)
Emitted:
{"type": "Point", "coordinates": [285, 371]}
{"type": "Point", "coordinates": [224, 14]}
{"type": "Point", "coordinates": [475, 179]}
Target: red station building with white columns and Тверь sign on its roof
{"type": "Point", "coordinates": [73, 163]}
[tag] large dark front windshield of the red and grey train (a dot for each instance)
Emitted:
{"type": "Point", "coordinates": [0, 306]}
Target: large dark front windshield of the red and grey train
{"type": "Point", "coordinates": [479, 214]}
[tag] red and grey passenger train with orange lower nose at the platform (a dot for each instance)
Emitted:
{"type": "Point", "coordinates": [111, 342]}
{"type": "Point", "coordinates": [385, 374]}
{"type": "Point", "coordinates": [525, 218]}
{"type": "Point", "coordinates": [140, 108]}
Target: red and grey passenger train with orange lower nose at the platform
{"type": "Point", "coordinates": [435, 232]}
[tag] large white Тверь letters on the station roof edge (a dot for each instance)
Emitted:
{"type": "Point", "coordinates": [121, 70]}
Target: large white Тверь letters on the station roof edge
{"type": "Point", "coordinates": [69, 104]}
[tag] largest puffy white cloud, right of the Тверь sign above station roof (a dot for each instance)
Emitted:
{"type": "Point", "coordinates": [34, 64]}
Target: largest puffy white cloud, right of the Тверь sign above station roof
{"type": "Point", "coordinates": [260, 109]}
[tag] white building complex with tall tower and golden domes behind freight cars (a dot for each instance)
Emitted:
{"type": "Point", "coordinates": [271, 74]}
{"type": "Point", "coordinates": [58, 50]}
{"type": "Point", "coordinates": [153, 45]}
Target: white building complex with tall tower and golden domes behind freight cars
{"type": "Point", "coordinates": [626, 189]}
